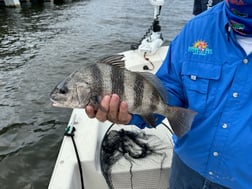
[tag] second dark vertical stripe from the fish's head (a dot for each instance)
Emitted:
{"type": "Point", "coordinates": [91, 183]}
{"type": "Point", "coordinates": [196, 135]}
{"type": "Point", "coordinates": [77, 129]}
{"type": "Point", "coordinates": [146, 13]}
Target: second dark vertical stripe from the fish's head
{"type": "Point", "coordinates": [117, 79]}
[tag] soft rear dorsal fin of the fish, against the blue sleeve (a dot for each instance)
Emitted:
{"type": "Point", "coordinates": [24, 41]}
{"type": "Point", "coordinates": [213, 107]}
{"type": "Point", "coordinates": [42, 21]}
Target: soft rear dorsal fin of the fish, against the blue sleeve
{"type": "Point", "coordinates": [153, 80]}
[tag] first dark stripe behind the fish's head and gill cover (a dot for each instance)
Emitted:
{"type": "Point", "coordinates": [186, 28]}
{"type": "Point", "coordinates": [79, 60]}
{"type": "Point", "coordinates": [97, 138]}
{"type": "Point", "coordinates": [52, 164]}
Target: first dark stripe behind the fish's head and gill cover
{"type": "Point", "coordinates": [96, 74]}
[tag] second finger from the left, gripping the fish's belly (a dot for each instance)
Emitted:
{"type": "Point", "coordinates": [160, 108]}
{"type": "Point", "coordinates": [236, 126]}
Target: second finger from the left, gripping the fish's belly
{"type": "Point", "coordinates": [102, 111]}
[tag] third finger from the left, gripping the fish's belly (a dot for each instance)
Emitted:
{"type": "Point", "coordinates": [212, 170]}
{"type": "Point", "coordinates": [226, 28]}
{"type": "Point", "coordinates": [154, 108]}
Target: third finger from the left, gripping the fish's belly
{"type": "Point", "coordinates": [114, 107]}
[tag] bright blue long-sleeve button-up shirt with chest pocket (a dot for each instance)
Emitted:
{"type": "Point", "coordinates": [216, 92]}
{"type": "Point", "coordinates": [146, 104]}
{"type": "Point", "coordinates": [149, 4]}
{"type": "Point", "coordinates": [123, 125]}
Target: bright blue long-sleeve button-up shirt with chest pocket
{"type": "Point", "coordinates": [207, 71]}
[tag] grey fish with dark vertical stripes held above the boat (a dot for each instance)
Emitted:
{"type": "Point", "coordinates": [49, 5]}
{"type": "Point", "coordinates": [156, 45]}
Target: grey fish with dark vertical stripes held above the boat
{"type": "Point", "coordinates": [143, 91]}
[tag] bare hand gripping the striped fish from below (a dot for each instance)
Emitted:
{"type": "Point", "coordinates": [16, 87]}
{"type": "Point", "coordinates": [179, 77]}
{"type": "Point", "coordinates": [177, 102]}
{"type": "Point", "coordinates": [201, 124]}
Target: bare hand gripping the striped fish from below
{"type": "Point", "coordinates": [112, 109]}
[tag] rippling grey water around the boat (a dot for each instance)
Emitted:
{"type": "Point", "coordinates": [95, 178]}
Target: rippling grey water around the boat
{"type": "Point", "coordinates": [40, 45]}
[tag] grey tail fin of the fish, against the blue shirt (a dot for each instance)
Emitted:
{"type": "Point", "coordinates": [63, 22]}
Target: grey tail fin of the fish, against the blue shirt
{"type": "Point", "coordinates": [180, 119]}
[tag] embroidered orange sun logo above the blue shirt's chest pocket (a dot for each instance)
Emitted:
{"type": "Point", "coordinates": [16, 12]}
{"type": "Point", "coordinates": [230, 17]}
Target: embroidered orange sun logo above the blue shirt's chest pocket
{"type": "Point", "coordinates": [200, 48]}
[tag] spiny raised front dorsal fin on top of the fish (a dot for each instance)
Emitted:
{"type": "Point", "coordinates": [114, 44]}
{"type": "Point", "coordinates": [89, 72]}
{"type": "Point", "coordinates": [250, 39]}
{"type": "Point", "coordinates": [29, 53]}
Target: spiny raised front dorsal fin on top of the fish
{"type": "Point", "coordinates": [113, 60]}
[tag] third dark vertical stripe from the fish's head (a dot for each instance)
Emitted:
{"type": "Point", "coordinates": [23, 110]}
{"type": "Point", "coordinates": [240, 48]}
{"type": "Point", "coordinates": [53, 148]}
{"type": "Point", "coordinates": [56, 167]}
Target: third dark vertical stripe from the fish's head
{"type": "Point", "coordinates": [139, 90]}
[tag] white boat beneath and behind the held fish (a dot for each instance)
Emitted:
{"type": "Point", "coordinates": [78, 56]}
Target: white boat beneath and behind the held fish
{"type": "Point", "coordinates": [79, 164]}
